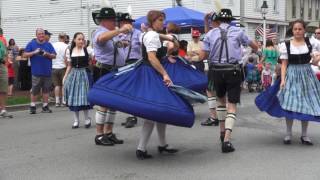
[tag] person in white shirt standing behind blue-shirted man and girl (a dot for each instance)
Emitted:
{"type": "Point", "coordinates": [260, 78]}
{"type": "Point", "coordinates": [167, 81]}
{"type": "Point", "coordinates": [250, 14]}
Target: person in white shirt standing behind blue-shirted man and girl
{"type": "Point", "coordinates": [59, 67]}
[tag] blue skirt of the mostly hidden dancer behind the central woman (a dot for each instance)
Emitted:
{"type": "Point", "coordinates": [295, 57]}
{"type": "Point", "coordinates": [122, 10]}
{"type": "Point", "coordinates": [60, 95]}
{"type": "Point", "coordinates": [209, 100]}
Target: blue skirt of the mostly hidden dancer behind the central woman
{"type": "Point", "coordinates": [183, 74]}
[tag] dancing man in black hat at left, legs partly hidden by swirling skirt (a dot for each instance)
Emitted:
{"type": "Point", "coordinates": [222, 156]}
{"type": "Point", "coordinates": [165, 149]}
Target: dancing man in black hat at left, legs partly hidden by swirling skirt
{"type": "Point", "coordinates": [108, 56]}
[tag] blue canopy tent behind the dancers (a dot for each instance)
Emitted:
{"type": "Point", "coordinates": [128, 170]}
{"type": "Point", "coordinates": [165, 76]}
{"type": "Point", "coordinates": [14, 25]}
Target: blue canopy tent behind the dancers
{"type": "Point", "coordinates": [181, 16]}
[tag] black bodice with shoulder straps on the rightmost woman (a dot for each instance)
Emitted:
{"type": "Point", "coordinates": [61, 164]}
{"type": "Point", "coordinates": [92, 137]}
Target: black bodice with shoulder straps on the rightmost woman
{"type": "Point", "coordinates": [299, 58]}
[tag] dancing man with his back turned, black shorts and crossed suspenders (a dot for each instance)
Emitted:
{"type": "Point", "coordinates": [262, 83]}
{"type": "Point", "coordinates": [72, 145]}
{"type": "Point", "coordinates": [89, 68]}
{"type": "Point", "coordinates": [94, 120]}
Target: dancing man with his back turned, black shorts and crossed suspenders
{"type": "Point", "coordinates": [222, 48]}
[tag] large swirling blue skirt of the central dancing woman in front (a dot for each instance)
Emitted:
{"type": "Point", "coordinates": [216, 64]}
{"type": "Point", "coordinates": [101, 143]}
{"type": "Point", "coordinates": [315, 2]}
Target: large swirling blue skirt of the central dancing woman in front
{"type": "Point", "coordinates": [141, 92]}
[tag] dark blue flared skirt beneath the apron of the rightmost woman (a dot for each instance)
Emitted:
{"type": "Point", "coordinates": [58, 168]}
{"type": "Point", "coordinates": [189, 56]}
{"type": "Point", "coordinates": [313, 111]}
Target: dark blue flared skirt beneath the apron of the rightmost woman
{"type": "Point", "coordinates": [268, 101]}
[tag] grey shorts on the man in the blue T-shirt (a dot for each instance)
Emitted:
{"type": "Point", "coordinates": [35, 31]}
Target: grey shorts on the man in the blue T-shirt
{"type": "Point", "coordinates": [40, 83]}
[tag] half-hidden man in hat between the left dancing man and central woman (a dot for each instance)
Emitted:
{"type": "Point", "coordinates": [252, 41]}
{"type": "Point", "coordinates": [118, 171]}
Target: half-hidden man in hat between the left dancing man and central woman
{"type": "Point", "coordinates": [132, 52]}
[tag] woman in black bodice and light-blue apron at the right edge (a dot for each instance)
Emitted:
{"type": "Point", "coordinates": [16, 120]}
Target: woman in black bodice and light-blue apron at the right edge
{"type": "Point", "coordinates": [296, 95]}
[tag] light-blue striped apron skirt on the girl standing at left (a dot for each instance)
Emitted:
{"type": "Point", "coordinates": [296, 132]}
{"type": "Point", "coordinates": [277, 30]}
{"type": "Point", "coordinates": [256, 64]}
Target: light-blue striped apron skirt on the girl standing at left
{"type": "Point", "coordinates": [76, 88]}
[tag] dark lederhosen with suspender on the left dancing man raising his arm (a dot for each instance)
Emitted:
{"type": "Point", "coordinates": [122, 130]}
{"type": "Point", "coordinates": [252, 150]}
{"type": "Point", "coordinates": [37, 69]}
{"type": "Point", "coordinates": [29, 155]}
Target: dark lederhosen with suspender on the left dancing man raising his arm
{"type": "Point", "coordinates": [101, 69]}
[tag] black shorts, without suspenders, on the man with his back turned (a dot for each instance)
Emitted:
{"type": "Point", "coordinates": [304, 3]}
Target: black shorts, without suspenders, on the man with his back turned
{"type": "Point", "coordinates": [228, 82]}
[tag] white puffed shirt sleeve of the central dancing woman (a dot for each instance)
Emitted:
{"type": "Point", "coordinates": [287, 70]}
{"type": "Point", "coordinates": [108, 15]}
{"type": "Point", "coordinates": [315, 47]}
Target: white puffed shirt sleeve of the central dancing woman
{"type": "Point", "coordinates": [151, 40]}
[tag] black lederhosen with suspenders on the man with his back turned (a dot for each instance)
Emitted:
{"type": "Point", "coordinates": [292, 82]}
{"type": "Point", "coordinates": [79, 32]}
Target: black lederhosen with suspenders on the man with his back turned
{"type": "Point", "coordinates": [227, 78]}
